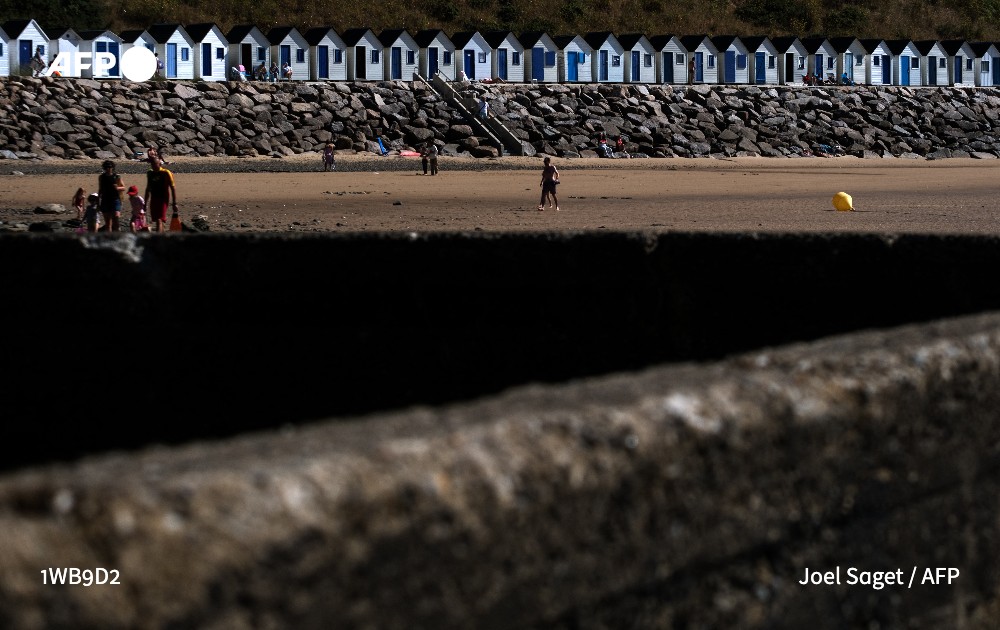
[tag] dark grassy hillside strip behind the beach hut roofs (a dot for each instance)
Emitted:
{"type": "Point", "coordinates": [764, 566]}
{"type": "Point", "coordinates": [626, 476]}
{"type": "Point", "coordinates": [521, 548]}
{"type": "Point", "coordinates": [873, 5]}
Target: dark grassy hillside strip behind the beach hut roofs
{"type": "Point", "coordinates": [915, 19]}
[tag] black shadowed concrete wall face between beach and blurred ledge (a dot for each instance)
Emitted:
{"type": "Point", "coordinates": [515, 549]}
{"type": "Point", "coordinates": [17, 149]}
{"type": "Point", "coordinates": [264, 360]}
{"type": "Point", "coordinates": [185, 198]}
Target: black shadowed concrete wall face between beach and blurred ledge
{"type": "Point", "coordinates": [120, 342]}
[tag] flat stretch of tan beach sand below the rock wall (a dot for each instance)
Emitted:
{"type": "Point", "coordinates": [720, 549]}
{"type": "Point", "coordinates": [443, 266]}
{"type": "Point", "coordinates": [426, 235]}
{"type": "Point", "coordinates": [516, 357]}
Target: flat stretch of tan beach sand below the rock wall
{"type": "Point", "coordinates": [390, 194]}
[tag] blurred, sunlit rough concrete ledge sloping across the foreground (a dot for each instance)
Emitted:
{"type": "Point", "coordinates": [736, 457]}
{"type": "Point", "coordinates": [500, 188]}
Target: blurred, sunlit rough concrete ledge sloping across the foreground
{"type": "Point", "coordinates": [680, 496]}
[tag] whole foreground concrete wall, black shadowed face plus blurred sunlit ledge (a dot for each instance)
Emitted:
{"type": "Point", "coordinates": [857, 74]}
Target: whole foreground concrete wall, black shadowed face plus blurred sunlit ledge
{"type": "Point", "coordinates": [290, 438]}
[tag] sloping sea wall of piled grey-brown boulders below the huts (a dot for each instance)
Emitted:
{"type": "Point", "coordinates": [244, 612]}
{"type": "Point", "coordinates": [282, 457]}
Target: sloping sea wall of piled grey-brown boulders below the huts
{"type": "Point", "coordinates": [79, 118]}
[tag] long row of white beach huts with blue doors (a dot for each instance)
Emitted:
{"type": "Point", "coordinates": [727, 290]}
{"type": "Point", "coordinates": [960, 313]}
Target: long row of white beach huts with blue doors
{"type": "Point", "coordinates": [204, 52]}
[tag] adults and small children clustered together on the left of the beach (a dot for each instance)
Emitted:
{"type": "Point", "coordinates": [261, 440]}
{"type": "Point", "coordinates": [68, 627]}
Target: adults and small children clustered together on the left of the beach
{"type": "Point", "coordinates": [102, 210]}
